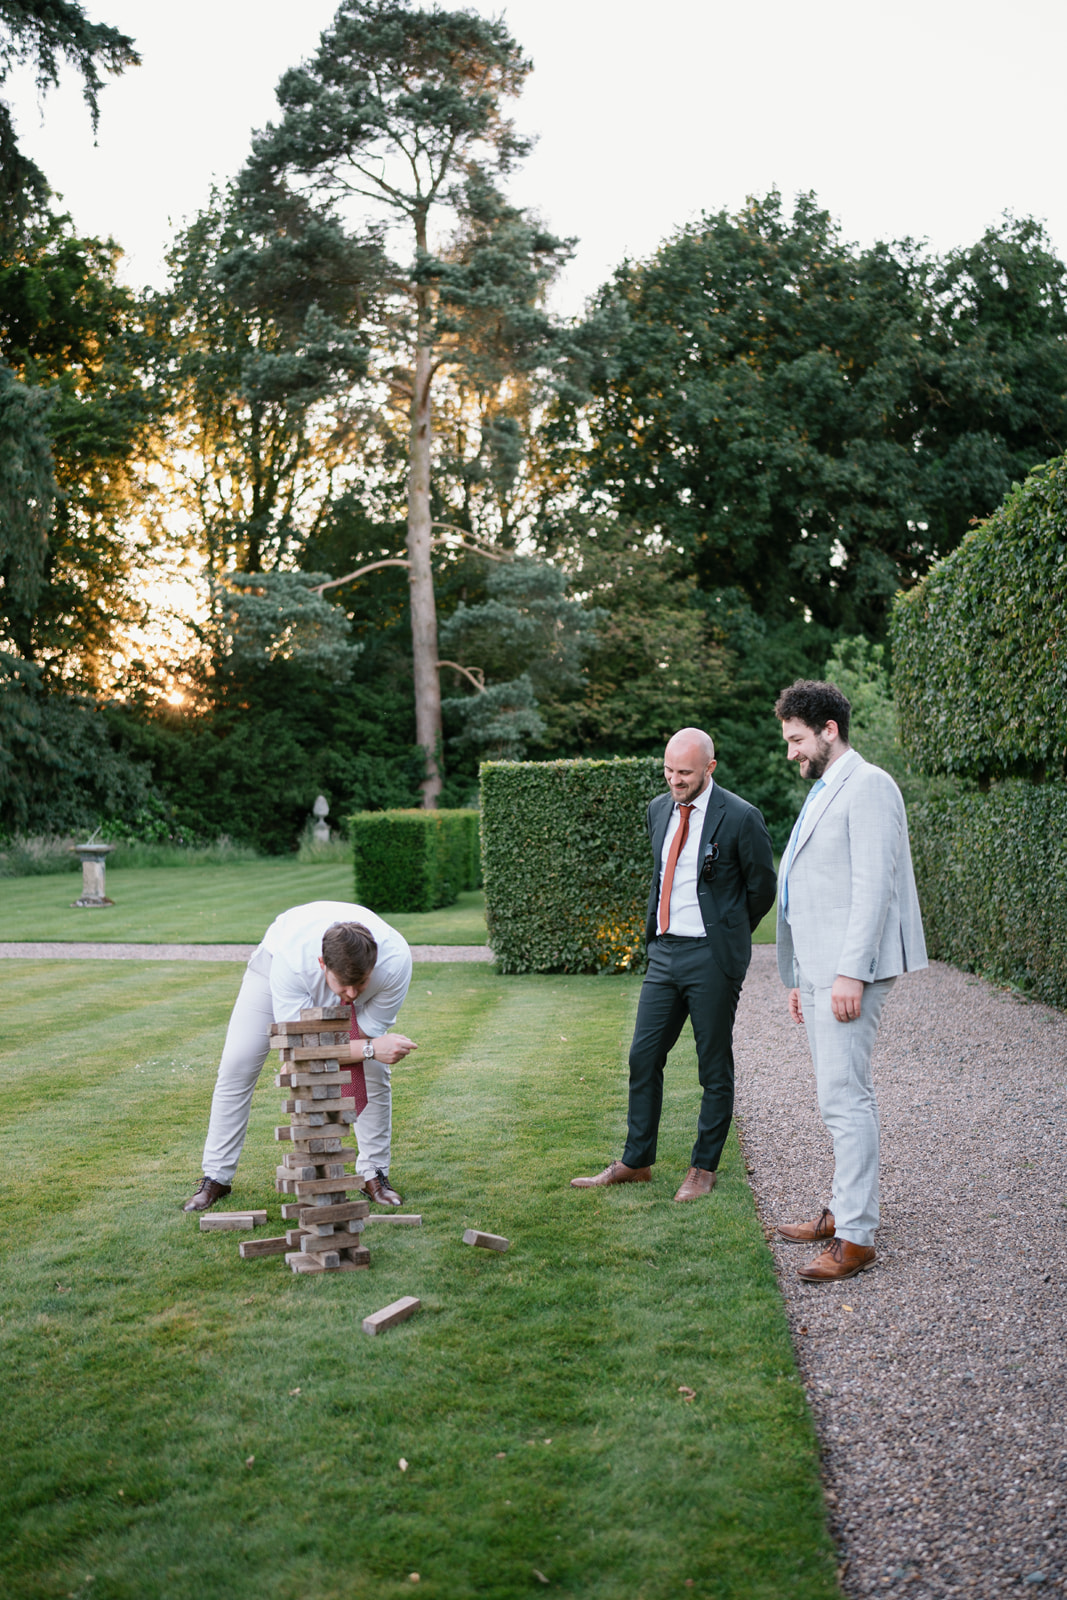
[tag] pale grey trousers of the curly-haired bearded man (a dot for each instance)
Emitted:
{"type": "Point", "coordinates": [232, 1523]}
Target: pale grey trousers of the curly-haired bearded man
{"type": "Point", "coordinates": [847, 1103]}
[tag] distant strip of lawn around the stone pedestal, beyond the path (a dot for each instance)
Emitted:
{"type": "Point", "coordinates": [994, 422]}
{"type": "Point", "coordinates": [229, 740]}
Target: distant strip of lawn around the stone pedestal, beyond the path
{"type": "Point", "coordinates": [228, 905]}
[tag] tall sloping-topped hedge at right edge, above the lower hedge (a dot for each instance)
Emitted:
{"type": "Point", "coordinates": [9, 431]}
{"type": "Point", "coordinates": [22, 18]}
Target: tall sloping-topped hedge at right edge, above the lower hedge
{"type": "Point", "coordinates": [981, 646]}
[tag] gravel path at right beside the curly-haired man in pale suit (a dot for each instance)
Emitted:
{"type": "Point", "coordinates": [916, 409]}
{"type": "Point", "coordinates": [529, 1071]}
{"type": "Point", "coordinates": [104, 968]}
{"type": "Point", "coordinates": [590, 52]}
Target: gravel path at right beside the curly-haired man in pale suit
{"type": "Point", "coordinates": [937, 1378]}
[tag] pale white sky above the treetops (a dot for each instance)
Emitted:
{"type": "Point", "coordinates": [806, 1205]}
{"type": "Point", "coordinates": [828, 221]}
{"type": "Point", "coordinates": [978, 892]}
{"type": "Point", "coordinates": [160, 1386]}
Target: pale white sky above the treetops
{"type": "Point", "coordinates": [924, 118]}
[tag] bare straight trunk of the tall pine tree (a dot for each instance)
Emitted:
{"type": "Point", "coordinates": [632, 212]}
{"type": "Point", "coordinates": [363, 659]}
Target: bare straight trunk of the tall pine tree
{"type": "Point", "coordinates": [428, 692]}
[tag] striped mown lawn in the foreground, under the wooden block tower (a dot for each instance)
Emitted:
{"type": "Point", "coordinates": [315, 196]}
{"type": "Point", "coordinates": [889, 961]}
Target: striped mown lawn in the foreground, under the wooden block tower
{"type": "Point", "coordinates": [183, 1425]}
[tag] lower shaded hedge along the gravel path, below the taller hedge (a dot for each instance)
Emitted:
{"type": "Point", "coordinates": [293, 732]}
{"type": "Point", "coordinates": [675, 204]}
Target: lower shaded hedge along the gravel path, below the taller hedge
{"type": "Point", "coordinates": [993, 882]}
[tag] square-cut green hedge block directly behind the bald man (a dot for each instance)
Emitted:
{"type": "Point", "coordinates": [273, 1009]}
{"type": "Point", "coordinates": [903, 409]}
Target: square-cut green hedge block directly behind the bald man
{"type": "Point", "coordinates": [567, 863]}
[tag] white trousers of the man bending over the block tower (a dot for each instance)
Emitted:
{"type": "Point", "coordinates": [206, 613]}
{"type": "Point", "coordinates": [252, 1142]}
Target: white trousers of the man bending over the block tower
{"type": "Point", "coordinates": [244, 1054]}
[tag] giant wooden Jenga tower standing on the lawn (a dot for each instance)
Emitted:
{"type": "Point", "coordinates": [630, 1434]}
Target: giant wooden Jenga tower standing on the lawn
{"type": "Point", "coordinates": [321, 1110]}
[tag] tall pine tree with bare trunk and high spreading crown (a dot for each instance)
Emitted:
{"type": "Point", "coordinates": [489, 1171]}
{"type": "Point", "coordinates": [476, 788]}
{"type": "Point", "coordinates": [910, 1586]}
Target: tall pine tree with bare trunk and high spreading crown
{"type": "Point", "coordinates": [401, 116]}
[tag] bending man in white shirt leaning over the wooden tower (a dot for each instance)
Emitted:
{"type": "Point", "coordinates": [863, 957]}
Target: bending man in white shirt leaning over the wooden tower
{"type": "Point", "coordinates": [314, 956]}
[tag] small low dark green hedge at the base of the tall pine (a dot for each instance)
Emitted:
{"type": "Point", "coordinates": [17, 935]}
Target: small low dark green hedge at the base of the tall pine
{"type": "Point", "coordinates": [415, 860]}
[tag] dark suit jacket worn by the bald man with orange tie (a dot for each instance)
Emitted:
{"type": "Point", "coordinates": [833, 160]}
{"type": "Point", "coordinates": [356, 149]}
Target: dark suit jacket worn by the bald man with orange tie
{"type": "Point", "coordinates": [745, 886]}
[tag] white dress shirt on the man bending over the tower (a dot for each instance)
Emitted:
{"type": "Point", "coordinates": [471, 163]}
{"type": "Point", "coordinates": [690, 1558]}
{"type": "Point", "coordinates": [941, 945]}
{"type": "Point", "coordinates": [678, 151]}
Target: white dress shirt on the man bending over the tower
{"type": "Point", "coordinates": [298, 982]}
